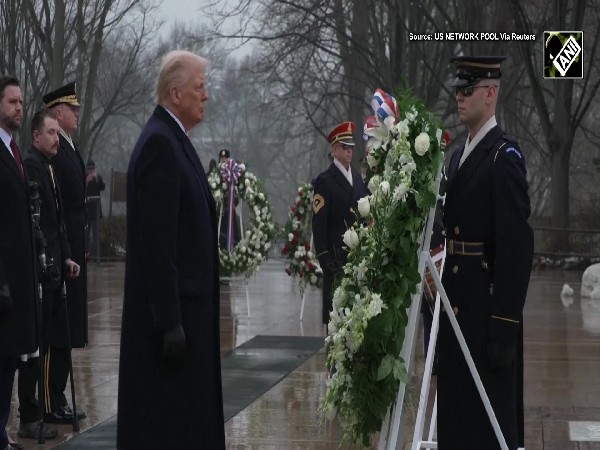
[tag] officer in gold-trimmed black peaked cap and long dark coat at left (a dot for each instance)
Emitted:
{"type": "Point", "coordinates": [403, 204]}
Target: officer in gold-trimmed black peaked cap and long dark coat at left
{"type": "Point", "coordinates": [70, 176]}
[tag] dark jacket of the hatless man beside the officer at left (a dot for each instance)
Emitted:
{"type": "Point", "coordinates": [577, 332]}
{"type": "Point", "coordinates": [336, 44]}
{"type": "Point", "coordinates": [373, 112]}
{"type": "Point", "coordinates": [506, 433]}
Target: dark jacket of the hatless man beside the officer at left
{"type": "Point", "coordinates": [57, 246]}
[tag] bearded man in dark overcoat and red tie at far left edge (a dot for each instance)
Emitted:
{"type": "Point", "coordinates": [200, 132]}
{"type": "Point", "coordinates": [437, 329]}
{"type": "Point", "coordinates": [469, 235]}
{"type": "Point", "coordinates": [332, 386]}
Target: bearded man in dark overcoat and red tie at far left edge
{"type": "Point", "coordinates": [17, 256]}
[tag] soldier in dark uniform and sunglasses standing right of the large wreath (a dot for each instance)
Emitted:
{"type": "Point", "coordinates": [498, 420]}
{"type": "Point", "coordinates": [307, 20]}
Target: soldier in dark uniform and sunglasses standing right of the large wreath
{"type": "Point", "coordinates": [489, 258]}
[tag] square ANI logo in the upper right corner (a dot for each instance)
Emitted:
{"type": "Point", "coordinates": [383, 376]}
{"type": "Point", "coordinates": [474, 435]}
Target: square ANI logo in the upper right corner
{"type": "Point", "coordinates": [563, 54]}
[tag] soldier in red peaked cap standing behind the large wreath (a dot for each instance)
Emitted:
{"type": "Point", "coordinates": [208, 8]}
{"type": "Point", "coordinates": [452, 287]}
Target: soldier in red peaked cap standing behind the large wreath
{"type": "Point", "coordinates": [336, 195]}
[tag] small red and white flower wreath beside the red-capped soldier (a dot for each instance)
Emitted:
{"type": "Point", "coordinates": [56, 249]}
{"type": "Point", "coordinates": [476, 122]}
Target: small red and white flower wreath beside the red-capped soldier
{"type": "Point", "coordinates": [302, 264]}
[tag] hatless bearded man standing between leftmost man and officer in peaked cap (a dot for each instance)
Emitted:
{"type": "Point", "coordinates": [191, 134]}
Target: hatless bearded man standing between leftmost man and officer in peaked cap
{"type": "Point", "coordinates": [44, 130]}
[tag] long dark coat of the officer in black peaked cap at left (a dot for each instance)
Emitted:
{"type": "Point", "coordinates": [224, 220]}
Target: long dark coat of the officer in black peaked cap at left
{"type": "Point", "coordinates": [70, 174]}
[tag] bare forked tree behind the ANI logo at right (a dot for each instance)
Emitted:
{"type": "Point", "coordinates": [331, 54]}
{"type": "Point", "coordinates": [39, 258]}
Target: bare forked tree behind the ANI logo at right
{"type": "Point", "coordinates": [561, 105]}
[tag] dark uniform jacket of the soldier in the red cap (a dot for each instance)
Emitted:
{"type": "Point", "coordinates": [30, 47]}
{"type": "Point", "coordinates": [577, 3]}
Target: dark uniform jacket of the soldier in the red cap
{"type": "Point", "coordinates": [334, 198]}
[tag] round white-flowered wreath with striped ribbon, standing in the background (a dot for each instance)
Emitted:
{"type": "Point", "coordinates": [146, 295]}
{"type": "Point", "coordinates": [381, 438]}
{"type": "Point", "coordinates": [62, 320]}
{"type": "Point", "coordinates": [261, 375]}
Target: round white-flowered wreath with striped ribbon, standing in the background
{"type": "Point", "coordinates": [232, 180]}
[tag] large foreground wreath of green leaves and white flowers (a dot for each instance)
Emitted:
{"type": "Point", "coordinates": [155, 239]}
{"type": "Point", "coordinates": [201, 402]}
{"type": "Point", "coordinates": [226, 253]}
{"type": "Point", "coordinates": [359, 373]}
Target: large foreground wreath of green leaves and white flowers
{"type": "Point", "coordinates": [369, 317]}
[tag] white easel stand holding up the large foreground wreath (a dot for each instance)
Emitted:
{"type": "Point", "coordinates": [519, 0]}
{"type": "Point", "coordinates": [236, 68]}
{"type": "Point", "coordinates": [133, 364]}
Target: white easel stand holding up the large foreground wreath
{"type": "Point", "coordinates": [392, 430]}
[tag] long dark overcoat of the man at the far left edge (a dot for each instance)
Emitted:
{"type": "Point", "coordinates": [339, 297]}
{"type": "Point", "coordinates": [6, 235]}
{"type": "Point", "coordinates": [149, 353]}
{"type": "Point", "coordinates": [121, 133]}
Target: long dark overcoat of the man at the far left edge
{"type": "Point", "coordinates": [17, 260]}
